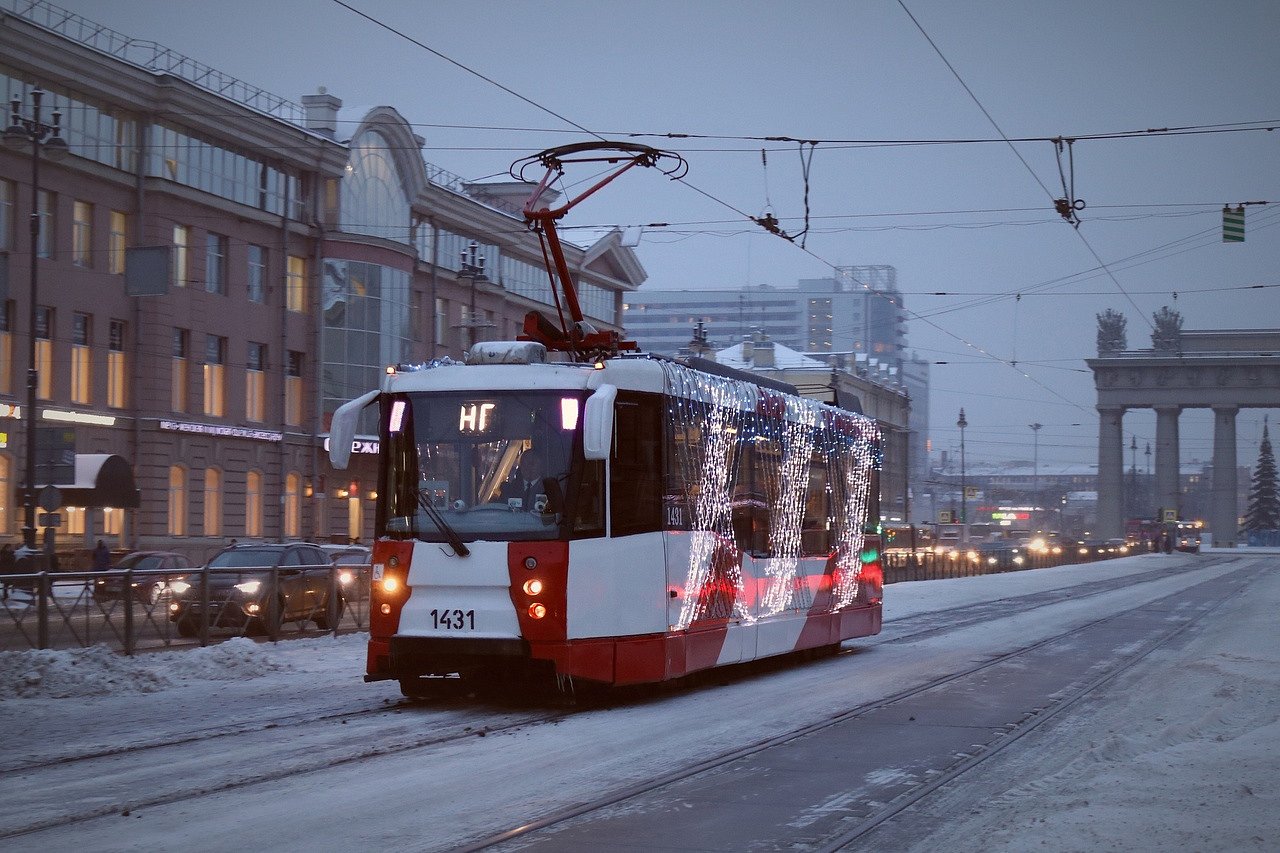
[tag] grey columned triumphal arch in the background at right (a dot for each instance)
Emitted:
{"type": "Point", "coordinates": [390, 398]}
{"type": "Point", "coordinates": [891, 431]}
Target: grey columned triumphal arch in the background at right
{"type": "Point", "coordinates": [1224, 371]}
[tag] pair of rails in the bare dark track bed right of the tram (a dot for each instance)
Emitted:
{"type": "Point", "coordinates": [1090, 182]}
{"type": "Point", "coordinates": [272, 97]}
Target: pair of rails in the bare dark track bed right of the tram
{"type": "Point", "coordinates": [964, 763]}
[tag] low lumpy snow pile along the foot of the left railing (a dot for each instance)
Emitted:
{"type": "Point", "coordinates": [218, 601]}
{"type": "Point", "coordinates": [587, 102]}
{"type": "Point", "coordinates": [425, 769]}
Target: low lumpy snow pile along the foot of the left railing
{"type": "Point", "coordinates": [43, 674]}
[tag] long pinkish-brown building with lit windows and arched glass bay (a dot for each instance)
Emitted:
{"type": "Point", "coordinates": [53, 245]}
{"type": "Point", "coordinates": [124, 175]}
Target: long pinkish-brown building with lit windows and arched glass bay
{"type": "Point", "coordinates": [217, 270]}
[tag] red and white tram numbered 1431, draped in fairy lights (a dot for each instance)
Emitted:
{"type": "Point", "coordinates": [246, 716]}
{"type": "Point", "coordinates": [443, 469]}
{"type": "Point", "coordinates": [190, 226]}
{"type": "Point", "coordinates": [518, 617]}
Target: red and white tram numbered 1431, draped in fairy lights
{"type": "Point", "coordinates": [572, 509]}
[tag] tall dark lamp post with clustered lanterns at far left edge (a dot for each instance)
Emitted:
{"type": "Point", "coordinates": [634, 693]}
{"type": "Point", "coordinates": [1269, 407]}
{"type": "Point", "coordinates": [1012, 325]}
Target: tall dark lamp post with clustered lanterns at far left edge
{"type": "Point", "coordinates": [22, 133]}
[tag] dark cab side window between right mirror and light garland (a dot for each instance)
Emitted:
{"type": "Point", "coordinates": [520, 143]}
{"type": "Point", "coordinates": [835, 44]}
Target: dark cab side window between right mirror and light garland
{"type": "Point", "coordinates": [637, 472]}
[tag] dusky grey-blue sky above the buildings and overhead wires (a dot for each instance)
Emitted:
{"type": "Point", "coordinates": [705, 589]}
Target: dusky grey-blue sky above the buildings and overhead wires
{"type": "Point", "coordinates": [871, 83]}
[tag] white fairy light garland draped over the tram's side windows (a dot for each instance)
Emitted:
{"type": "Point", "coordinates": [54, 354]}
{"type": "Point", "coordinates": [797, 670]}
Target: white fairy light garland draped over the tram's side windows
{"type": "Point", "coordinates": [716, 421]}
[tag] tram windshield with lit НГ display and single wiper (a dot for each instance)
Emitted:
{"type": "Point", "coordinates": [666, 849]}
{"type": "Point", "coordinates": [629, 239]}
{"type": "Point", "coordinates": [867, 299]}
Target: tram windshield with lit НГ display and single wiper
{"type": "Point", "coordinates": [484, 466]}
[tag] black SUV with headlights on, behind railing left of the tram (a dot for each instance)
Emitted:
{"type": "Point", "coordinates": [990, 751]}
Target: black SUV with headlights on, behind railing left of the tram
{"type": "Point", "coordinates": [241, 582]}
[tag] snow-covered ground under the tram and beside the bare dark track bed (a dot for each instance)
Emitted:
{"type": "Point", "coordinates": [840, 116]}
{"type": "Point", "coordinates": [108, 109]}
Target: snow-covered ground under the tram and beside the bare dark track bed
{"type": "Point", "coordinates": [1178, 754]}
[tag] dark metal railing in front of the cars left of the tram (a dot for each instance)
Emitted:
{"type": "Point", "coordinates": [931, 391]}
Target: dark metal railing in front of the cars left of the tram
{"type": "Point", "coordinates": [147, 610]}
